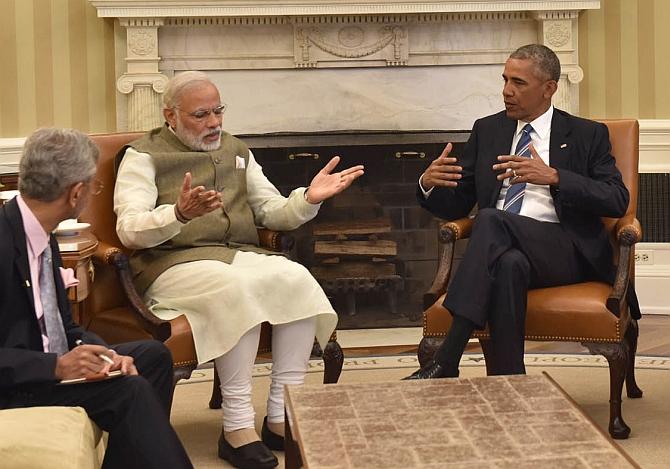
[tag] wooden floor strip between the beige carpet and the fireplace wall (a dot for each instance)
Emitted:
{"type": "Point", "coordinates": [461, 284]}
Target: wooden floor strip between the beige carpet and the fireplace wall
{"type": "Point", "coordinates": [654, 341]}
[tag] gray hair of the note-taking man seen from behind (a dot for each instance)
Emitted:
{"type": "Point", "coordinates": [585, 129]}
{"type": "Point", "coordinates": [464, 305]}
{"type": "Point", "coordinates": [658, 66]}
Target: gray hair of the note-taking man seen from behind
{"type": "Point", "coordinates": [55, 159]}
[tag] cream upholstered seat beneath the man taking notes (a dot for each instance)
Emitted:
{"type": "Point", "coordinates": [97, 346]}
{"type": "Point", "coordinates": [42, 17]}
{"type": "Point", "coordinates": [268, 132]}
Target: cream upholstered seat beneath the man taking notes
{"type": "Point", "coordinates": [39, 437]}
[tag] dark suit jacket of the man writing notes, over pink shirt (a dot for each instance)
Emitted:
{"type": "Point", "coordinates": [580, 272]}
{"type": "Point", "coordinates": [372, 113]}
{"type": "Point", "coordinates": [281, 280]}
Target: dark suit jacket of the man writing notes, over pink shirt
{"type": "Point", "coordinates": [24, 366]}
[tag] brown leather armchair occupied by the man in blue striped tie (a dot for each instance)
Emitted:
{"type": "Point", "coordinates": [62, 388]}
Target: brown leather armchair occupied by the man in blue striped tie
{"type": "Point", "coordinates": [593, 313]}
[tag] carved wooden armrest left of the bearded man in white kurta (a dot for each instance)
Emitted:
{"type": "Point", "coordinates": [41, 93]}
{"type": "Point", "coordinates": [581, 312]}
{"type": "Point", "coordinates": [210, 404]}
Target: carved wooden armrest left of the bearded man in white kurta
{"type": "Point", "coordinates": [114, 257]}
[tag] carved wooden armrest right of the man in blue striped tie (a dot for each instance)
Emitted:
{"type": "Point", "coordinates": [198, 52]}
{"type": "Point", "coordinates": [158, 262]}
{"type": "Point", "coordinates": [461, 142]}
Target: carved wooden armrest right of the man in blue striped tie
{"type": "Point", "coordinates": [628, 232]}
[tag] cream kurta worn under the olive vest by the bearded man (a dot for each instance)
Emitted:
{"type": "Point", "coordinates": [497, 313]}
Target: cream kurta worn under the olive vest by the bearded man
{"type": "Point", "coordinates": [222, 301]}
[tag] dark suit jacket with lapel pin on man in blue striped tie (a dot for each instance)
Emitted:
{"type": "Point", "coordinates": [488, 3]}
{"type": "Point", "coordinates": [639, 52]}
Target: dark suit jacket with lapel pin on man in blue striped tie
{"type": "Point", "coordinates": [590, 185]}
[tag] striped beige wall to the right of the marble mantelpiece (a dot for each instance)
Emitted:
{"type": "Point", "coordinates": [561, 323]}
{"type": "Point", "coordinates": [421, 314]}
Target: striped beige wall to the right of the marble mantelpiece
{"type": "Point", "coordinates": [624, 49]}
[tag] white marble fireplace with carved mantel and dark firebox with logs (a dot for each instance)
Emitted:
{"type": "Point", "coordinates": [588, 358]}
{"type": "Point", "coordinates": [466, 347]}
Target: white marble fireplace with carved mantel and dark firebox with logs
{"type": "Point", "coordinates": [311, 77]}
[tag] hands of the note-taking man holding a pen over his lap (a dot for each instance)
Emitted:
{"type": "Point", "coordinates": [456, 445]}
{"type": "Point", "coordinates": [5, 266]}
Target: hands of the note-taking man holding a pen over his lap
{"type": "Point", "coordinates": [84, 361]}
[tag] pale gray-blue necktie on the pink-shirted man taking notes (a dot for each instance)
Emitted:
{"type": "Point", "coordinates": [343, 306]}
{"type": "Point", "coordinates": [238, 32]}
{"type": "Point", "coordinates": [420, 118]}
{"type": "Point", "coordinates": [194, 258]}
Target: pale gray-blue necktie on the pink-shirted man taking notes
{"type": "Point", "coordinates": [53, 322]}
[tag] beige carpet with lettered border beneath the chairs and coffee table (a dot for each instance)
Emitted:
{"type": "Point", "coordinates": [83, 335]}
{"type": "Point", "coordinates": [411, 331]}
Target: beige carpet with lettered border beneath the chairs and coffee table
{"type": "Point", "coordinates": [585, 378]}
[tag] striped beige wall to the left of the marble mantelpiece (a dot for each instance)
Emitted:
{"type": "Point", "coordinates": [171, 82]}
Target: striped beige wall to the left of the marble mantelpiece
{"type": "Point", "coordinates": [56, 67]}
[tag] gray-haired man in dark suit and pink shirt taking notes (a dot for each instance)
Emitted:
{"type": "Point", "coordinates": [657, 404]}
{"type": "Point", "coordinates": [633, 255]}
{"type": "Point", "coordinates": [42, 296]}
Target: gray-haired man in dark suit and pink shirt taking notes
{"type": "Point", "coordinates": [40, 345]}
